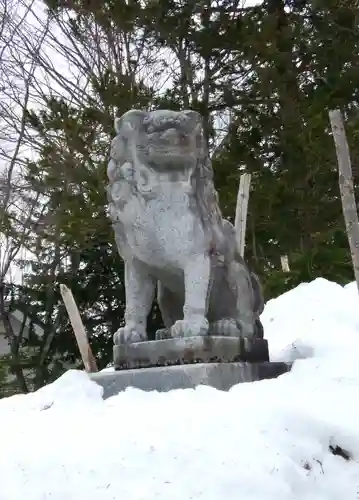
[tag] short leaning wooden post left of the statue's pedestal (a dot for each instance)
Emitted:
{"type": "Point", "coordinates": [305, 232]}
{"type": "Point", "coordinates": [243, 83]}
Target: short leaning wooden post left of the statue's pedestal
{"type": "Point", "coordinates": [79, 329]}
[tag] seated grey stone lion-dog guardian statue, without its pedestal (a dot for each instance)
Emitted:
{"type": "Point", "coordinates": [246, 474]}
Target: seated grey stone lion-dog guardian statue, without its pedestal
{"type": "Point", "coordinates": [170, 232]}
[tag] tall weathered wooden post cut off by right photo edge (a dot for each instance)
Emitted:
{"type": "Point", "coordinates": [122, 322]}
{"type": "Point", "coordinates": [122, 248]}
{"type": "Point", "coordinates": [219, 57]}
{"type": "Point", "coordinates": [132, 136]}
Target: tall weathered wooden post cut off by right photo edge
{"type": "Point", "coordinates": [346, 187]}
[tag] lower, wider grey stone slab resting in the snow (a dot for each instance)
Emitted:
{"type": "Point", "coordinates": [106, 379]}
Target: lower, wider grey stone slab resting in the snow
{"type": "Point", "coordinates": [221, 376]}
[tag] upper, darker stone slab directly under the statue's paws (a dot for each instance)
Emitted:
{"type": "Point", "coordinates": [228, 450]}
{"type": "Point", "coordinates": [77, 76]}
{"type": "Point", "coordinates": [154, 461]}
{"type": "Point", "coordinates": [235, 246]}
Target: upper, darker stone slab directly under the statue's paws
{"type": "Point", "coordinates": [191, 350]}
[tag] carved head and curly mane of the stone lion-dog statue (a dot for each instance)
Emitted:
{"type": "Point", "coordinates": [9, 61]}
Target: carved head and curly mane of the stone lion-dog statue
{"type": "Point", "coordinates": [163, 146]}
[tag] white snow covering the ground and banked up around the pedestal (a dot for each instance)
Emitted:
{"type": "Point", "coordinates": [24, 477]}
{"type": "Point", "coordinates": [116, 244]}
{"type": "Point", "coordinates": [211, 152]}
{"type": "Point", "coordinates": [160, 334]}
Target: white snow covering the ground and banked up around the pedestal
{"type": "Point", "coordinates": [268, 440]}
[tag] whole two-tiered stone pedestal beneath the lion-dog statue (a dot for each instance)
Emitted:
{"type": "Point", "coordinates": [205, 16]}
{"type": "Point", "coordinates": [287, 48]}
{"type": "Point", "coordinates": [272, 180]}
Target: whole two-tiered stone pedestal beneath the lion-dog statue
{"type": "Point", "coordinates": [184, 363]}
